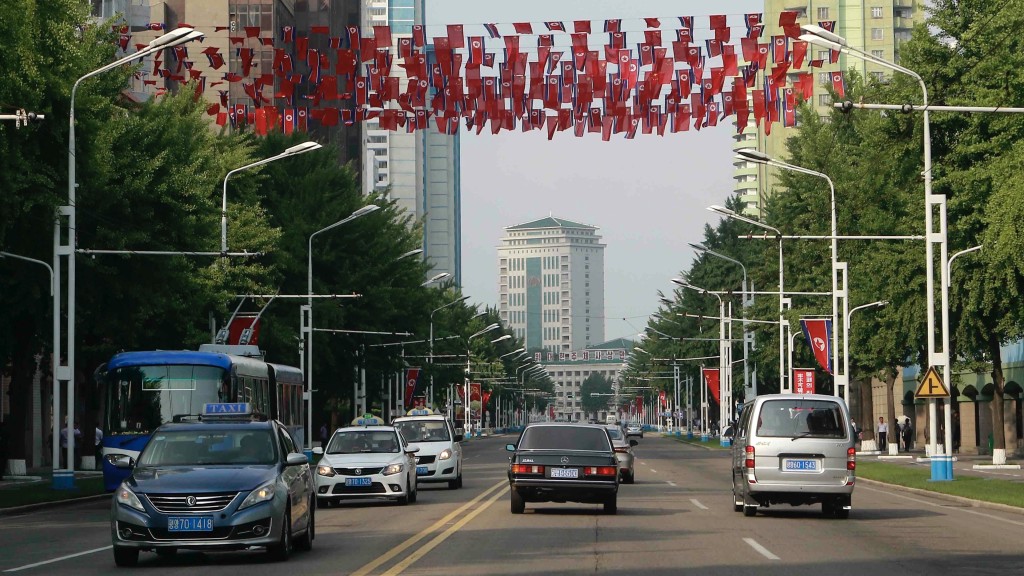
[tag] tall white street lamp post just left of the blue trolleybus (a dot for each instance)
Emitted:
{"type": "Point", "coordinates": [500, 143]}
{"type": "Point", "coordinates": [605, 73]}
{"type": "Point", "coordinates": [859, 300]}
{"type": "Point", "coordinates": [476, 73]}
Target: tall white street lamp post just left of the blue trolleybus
{"type": "Point", "coordinates": [65, 372]}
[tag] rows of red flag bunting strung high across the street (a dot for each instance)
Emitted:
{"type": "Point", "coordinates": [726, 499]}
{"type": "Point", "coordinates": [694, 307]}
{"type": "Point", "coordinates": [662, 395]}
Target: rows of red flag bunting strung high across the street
{"type": "Point", "coordinates": [617, 77]}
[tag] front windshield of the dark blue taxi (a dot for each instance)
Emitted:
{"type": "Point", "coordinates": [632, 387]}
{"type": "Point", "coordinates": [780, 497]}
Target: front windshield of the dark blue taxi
{"type": "Point", "coordinates": [185, 448]}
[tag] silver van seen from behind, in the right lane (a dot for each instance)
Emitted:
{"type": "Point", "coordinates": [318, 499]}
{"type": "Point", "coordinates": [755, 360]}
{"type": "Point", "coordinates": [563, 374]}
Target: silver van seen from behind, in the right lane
{"type": "Point", "coordinates": [794, 449]}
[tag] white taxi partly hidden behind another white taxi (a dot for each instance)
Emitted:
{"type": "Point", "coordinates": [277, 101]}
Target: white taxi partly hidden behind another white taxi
{"type": "Point", "coordinates": [440, 459]}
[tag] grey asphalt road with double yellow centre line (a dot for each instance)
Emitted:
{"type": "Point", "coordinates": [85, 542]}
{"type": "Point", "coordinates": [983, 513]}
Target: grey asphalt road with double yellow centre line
{"type": "Point", "coordinates": [677, 519]}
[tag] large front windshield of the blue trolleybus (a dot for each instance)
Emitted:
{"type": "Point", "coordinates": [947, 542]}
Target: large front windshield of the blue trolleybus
{"type": "Point", "coordinates": [142, 398]}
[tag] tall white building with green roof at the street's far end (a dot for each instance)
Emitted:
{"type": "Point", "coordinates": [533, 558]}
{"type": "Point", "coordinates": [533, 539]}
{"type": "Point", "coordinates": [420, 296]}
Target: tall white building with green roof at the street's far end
{"type": "Point", "coordinates": [551, 285]}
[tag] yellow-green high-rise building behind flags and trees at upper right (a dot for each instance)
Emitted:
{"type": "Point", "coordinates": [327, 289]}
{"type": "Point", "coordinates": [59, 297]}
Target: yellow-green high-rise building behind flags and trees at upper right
{"type": "Point", "coordinates": [876, 27]}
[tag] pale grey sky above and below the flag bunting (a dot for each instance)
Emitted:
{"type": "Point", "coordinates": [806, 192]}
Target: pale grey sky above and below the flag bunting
{"type": "Point", "coordinates": [648, 196]}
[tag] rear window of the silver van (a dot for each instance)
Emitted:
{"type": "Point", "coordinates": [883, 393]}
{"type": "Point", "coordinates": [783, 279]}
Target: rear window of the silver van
{"type": "Point", "coordinates": [801, 419]}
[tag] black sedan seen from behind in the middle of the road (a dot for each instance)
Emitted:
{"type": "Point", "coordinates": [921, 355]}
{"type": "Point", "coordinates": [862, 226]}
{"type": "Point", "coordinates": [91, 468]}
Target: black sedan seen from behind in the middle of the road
{"type": "Point", "coordinates": [564, 463]}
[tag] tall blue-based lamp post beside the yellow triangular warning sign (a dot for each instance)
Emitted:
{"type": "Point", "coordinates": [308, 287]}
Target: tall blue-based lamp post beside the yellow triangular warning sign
{"type": "Point", "coordinates": [935, 229]}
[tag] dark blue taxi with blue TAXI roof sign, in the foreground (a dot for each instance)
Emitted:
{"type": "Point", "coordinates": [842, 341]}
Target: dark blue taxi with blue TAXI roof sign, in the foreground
{"type": "Point", "coordinates": [227, 482]}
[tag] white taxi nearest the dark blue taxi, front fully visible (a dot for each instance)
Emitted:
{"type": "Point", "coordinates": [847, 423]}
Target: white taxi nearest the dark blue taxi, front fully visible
{"type": "Point", "coordinates": [364, 463]}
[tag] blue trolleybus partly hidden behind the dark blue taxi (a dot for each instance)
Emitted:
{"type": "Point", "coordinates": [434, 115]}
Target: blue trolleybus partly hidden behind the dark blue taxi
{"type": "Point", "coordinates": [144, 390]}
